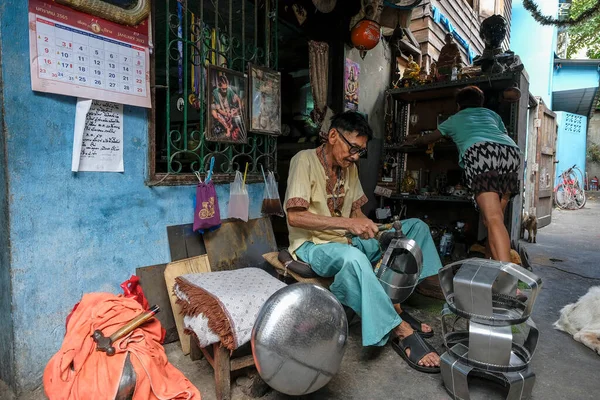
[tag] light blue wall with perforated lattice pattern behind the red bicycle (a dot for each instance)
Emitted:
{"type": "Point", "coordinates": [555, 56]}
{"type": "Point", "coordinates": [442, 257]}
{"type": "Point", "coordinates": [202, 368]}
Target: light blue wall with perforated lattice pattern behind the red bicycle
{"type": "Point", "coordinates": [571, 142]}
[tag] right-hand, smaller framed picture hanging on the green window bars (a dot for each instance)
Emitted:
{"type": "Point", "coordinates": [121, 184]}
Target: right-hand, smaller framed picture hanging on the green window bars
{"type": "Point", "coordinates": [265, 100]}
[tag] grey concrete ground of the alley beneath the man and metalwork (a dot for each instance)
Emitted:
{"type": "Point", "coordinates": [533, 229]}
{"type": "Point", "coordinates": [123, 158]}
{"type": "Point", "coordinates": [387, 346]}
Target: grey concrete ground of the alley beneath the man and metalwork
{"type": "Point", "coordinates": [566, 259]}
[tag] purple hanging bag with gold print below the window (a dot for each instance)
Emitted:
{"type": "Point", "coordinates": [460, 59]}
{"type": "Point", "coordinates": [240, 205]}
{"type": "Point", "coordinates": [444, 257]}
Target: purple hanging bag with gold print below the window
{"type": "Point", "coordinates": [206, 210]}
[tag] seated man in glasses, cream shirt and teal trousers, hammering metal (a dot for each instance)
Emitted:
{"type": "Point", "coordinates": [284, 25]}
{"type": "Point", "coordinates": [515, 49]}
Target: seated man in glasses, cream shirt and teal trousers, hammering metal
{"type": "Point", "coordinates": [323, 202]}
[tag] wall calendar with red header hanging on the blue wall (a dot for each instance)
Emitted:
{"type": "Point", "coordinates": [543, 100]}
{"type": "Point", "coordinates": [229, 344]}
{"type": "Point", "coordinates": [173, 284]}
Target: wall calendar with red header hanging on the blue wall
{"type": "Point", "coordinates": [80, 55]}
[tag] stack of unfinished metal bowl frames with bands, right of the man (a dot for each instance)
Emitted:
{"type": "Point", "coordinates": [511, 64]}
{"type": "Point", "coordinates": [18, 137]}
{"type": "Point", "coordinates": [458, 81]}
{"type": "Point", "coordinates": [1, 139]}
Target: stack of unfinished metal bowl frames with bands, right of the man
{"type": "Point", "coordinates": [483, 292]}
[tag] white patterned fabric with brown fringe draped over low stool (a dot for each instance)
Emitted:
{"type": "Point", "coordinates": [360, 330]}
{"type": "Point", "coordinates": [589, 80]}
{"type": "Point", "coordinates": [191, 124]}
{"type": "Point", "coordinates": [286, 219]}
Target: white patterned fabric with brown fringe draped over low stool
{"type": "Point", "coordinates": [224, 305]}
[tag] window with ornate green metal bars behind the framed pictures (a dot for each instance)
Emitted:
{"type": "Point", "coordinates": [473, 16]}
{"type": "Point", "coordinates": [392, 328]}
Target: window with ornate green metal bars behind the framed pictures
{"type": "Point", "coordinates": [188, 35]}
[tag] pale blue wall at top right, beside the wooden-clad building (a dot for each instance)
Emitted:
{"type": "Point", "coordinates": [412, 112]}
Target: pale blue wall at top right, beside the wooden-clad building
{"type": "Point", "coordinates": [535, 44]}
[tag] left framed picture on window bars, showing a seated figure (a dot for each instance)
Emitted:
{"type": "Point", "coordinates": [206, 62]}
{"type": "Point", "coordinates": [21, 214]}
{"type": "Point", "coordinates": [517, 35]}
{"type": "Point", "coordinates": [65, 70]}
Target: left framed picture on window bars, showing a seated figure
{"type": "Point", "coordinates": [226, 106]}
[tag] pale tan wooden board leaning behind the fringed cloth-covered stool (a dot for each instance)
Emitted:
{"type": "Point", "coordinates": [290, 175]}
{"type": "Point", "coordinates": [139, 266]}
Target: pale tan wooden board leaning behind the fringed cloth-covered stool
{"type": "Point", "coordinates": [177, 268]}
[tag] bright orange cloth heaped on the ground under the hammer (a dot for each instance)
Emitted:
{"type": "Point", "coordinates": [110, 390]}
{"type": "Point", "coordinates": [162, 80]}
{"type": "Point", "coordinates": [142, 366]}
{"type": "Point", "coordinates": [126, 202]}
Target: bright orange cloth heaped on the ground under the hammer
{"type": "Point", "coordinates": [79, 372]}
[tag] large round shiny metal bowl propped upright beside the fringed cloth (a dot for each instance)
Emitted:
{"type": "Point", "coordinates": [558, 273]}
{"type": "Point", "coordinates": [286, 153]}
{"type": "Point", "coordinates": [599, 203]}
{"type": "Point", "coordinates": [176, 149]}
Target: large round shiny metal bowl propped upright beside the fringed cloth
{"type": "Point", "coordinates": [299, 339]}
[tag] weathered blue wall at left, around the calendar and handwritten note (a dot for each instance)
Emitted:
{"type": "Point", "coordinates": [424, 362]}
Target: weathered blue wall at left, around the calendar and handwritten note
{"type": "Point", "coordinates": [71, 233]}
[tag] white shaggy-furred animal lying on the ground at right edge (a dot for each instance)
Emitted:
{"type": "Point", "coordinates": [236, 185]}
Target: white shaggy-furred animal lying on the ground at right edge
{"type": "Point", "coordinates": [582, 319]}
